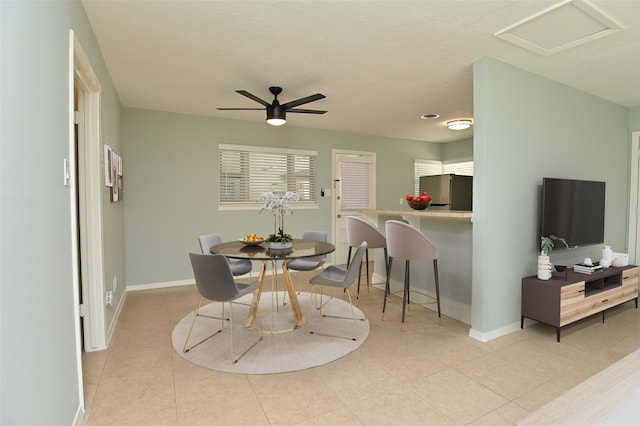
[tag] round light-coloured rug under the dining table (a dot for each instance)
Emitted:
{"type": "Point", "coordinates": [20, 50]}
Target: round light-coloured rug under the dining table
{"type": "Point", "coordinates": [278, 352]}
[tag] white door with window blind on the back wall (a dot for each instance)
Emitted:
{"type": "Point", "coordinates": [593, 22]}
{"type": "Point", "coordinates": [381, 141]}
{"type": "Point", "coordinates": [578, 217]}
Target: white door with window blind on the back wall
{"type": "Point", "coordinates": [354, 188]}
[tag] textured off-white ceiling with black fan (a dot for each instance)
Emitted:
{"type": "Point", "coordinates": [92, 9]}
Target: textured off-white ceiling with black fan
{"type": "Point", "coordinates": [381, 64]}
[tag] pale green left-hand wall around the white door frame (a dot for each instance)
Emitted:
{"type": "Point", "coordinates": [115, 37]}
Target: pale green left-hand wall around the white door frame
{"type": "Point", "coordinates": [38, 358]}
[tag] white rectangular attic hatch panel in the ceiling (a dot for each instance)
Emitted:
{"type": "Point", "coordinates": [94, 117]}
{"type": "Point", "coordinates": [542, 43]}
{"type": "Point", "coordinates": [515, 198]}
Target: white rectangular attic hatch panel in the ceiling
{"type": "Point", "coordinates": [565, 25]}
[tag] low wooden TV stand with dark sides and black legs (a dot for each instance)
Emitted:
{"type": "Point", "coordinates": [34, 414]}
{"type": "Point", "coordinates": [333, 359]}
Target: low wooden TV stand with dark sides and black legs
{"type": "Point", "coordinates": [559, 301]}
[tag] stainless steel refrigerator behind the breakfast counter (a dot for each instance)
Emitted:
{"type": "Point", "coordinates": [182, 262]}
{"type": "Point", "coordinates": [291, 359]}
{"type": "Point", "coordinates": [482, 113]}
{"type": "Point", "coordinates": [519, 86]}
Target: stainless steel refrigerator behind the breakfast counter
{"type": "Point", "coordinates": [449, 192]}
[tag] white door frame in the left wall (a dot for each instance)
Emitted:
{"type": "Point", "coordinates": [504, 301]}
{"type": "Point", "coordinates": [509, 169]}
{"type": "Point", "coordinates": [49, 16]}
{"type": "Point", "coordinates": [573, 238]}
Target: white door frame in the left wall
{"type": "Point", "coordinates": [89, 224]}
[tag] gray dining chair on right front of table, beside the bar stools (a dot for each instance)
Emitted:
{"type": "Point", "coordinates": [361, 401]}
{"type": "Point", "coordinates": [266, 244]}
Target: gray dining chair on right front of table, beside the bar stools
{"type": "Point", "coordinates": [336, 277]}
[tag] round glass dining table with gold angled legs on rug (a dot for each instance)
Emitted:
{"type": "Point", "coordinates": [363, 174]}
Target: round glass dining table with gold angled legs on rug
{"type": "Point", "coordinates": [261, 252]}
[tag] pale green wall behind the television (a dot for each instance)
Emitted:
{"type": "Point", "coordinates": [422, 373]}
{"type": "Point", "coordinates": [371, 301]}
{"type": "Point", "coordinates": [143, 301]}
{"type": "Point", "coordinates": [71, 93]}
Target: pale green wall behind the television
{"type": "Point", "coordinates": [528, 127]}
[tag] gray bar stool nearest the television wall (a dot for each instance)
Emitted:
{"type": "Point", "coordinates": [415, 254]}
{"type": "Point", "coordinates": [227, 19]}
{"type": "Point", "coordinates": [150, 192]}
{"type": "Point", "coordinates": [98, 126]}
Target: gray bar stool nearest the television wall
{"type": "Point", "coordinates": [407, 242]}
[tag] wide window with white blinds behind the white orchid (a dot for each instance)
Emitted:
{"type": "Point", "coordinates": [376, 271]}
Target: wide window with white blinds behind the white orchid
{"type": "Point", "coordinates": [248, 171]}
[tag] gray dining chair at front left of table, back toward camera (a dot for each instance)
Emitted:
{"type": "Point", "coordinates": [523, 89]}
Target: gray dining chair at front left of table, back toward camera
{"type": "Point", "coordinates": [215, 282]}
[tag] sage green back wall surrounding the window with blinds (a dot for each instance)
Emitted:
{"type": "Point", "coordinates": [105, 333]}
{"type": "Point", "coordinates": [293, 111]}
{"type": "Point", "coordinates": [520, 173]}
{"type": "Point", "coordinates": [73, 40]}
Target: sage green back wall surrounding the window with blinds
{"type": "Point", "coordinates": [171, 184]}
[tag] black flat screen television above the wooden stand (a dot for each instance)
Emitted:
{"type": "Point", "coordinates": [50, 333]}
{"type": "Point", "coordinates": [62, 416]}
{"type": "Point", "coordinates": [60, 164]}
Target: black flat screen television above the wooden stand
{"type": "Point", "coordinates": [573, 210]}
